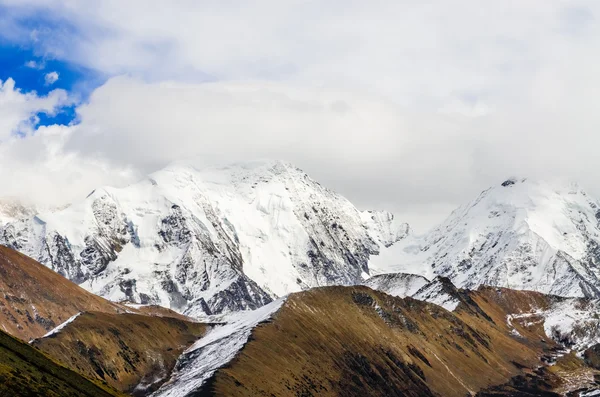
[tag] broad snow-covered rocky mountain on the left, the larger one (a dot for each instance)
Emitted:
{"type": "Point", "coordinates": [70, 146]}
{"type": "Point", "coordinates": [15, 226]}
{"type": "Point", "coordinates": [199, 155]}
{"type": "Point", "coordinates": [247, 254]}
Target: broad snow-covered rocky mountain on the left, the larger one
{"type": "Point", "coordinates": [208, 241]}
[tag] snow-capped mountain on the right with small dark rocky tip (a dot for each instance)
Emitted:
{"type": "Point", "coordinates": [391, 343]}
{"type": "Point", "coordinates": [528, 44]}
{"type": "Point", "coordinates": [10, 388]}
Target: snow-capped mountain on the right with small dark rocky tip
{"type": "Point", "coordinates": [520, 234]}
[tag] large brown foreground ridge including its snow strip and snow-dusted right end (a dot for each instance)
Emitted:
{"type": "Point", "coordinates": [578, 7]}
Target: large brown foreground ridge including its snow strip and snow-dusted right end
{"type": "Point", "coordinates": [348, 341]}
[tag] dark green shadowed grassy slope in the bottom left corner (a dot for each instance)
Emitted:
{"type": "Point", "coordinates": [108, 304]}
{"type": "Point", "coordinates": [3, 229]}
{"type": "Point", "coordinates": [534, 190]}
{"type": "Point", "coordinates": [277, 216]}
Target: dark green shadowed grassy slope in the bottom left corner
{"type": "Point", "coordinates": [25, 371]}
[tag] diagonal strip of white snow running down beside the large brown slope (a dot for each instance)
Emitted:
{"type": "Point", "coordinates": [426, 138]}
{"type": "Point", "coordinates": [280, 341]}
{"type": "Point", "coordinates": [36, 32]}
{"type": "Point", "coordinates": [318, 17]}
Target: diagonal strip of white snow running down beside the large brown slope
{"type": "Point", "coordinates": [218, 347]}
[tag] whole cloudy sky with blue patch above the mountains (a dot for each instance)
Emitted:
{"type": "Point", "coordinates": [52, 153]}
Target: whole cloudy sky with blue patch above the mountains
{"type": "Point", "coordinates": [409, 106]}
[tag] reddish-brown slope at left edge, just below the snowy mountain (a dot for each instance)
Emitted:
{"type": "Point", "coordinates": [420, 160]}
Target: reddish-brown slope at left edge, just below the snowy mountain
{"type": "Point", "coordinates": [34, 299]}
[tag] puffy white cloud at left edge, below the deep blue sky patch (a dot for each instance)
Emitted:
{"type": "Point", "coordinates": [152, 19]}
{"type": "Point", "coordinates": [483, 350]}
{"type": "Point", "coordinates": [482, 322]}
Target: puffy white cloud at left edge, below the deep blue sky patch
{"type": "Point", "coordinates": [34, 164]}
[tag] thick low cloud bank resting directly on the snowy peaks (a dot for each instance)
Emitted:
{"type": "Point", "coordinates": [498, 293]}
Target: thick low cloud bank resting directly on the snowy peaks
{"type": "Point", "coordinates": [377, 153]}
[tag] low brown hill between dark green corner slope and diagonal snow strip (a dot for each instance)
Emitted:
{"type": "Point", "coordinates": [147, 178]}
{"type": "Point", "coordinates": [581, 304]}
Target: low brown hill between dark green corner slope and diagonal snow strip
{"type": "Point", "coordinates": [125, 350]}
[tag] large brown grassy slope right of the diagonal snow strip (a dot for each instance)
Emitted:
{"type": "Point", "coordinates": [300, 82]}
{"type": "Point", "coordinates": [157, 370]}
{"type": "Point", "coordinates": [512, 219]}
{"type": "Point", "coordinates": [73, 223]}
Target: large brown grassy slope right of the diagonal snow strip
{"type": "Point", "coordinates": [350, 341]}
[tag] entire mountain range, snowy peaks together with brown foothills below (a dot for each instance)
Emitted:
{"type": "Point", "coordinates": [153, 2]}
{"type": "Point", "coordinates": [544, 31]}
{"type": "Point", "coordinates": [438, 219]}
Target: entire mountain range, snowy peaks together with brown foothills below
{"type": "Point", "coordinates": [193, 281]}
